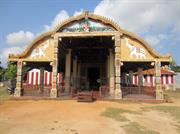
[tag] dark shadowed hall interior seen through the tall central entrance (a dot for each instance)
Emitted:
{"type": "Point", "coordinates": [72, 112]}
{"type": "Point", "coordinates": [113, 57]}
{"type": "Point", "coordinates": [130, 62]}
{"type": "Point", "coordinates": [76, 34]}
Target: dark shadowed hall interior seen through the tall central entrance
{"type": "Point", "coordinates": [91, 53]}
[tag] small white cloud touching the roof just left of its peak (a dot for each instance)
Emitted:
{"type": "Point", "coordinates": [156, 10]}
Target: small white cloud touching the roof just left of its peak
{"type": "Point", "coordinates": [60, 17]}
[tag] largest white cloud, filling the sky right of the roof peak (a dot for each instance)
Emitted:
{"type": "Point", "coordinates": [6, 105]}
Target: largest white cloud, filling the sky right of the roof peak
{"type": "Point", "coordinates": [139, 16]}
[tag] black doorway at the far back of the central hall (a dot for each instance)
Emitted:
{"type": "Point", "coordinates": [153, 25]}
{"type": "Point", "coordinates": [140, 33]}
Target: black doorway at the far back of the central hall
{"type": "Point", "coordinates": [93, 76]}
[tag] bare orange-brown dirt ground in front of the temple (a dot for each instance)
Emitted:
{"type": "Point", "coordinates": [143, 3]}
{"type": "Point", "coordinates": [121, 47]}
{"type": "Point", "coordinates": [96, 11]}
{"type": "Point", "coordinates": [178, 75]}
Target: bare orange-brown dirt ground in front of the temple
{"type": "Point", "coordinates": [71, 117]}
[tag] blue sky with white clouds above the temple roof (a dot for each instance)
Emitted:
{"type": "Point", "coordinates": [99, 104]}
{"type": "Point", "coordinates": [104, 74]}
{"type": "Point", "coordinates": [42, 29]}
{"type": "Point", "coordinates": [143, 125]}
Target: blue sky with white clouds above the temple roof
{"type": "Point", "coordinates": [157, 21]}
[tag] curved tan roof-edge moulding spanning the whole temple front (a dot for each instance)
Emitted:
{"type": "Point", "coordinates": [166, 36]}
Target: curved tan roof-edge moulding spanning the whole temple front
{"type": "Point", "coordinates": [97, 18]}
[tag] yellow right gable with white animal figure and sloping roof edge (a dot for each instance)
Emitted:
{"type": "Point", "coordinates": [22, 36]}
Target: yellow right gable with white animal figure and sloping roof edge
{"type": "Point", "coordinates": [136, 50]}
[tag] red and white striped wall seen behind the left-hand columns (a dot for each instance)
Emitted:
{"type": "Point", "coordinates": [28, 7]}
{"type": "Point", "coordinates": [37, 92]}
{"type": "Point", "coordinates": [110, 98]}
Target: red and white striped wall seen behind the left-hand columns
{"type": "Point", "coordinates": [33, 77]}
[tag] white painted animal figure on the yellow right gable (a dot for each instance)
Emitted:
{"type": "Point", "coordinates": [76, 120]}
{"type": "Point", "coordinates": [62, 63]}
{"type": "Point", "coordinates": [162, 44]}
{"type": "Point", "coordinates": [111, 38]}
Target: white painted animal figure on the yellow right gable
{"type": "Point", "coordinates": [137, 52]}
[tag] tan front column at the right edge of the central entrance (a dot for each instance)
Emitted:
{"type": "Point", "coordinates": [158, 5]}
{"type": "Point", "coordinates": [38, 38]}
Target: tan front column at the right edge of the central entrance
{"type": "Point", "coordinates": [118, 93]}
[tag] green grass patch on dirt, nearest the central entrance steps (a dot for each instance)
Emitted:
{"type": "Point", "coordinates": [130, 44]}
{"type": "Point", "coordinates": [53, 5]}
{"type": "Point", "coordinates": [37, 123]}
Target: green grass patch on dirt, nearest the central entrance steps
{"type": "Point", "coordinates": [116, 113]}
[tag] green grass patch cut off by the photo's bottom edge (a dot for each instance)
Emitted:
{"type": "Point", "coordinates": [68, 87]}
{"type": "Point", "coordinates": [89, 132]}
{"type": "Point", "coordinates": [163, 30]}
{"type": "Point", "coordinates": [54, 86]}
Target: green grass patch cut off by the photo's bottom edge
{"type": "Point", "coordinates": [135, 128]}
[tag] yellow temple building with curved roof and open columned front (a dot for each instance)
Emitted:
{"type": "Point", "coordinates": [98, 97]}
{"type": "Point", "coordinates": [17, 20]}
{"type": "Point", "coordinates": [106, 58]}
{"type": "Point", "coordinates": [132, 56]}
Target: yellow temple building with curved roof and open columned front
{"type": "Point", "coordinates": [88, 52]}
